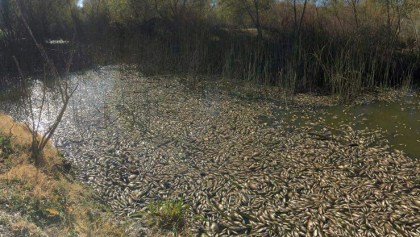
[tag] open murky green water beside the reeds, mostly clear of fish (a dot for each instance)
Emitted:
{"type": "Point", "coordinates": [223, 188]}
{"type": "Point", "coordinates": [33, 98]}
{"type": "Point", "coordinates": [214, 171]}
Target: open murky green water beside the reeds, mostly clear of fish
{"type": "Point", "coordinates": [398, 121]}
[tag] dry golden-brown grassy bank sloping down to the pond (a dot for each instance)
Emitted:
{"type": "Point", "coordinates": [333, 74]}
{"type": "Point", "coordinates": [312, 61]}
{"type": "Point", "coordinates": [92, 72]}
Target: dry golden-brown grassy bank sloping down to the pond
{"type": "Point", "coordinates": [46, 200]}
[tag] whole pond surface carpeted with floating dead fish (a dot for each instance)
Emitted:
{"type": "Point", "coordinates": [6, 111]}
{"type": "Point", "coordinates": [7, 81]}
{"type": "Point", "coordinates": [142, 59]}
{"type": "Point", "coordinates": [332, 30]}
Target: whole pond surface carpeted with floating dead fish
{"type": "Point", "coordinates": [243, 166]}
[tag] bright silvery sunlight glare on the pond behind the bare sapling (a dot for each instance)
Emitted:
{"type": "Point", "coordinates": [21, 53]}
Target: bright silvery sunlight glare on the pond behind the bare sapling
{"type": "Point", "coordinates": [41, 105]}
